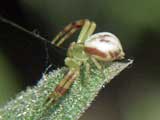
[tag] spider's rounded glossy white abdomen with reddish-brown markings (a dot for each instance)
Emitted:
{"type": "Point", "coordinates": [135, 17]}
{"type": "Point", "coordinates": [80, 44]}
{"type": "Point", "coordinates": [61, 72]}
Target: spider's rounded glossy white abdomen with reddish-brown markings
{"type": "Point", "coordinates": [104, 46]}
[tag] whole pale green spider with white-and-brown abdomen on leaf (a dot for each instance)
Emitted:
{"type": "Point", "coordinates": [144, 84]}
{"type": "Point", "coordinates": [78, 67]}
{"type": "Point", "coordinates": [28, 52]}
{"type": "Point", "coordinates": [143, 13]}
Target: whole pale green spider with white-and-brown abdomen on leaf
{"type": "Point", "coordinates": [103, 46]}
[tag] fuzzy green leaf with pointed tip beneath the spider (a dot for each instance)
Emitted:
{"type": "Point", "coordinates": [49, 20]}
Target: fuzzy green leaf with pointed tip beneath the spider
{"type": "Point", "coordinates": [29, 105]}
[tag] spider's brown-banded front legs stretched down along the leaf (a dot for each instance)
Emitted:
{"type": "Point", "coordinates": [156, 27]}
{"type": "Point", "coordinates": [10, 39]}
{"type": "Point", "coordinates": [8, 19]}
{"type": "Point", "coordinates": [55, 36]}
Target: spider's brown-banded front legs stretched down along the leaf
{"type": "Point", "coordinates": [66, 82]}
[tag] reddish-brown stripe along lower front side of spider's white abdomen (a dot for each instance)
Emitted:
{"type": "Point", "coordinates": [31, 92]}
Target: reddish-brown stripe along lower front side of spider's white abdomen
{"type": "Point", "coordinates": [94, 51]}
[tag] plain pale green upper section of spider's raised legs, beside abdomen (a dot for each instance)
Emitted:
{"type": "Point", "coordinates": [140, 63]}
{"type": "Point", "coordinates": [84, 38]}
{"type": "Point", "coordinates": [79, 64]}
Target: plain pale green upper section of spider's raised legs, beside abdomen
{"type": "Point", "coordinates": [86, 32]}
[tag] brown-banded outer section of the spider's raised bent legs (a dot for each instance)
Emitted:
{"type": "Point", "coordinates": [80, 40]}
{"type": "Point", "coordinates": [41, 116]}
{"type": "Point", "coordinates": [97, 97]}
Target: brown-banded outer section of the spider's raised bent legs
{"type": "Point", "coordinates": [69, 30]}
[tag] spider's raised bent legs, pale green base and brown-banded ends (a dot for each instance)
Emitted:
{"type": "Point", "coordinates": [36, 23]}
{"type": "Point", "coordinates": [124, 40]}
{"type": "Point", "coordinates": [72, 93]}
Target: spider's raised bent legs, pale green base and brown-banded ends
{"type": "Point", "coordinates": [87, 26]}
